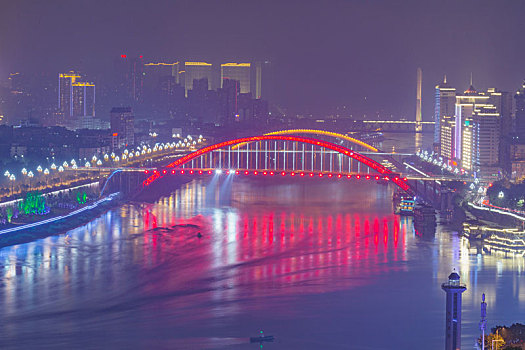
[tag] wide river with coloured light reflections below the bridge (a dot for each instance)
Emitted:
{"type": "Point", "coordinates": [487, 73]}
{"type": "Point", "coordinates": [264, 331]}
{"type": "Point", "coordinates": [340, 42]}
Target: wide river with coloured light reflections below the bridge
{"type": "Point", "coordinates": [318, 263]}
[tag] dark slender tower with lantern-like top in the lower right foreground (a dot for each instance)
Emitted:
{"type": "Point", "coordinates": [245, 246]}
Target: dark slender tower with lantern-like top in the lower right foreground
{"type": "Point", "coordinates": [454, 289]}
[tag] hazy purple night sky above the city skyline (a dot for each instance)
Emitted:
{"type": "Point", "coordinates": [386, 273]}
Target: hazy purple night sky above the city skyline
{"type": "Point", "coordinates": [324, 53]}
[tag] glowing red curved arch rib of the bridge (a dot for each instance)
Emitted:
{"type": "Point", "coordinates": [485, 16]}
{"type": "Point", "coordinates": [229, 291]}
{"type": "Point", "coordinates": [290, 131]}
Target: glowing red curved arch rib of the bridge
{"type": "Point", "coordinates": [315, 142]}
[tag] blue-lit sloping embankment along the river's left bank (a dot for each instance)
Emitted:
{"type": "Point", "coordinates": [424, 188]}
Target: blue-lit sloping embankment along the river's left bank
{"type": "Point", "coordinates": [51, 226]}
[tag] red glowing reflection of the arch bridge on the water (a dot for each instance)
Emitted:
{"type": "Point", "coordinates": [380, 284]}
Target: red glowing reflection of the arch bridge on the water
{"type": "Point", "coordinates": [328, 257]}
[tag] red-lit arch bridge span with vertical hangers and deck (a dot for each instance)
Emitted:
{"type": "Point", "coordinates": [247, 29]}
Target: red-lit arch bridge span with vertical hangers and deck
{"type": "Point", "coordinates": [281, 155]}
